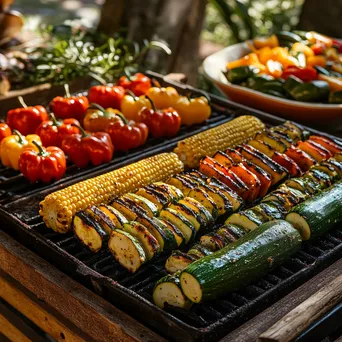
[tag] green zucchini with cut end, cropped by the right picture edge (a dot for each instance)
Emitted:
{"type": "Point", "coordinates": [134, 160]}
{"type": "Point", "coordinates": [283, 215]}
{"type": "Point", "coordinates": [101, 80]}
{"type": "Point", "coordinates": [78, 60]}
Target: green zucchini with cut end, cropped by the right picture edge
{"type": "Point", "coordinates": [318, 214]}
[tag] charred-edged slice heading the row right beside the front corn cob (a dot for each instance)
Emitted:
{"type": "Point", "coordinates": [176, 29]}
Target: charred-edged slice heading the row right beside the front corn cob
{"type": "Point", "coordinates": [88, 231]}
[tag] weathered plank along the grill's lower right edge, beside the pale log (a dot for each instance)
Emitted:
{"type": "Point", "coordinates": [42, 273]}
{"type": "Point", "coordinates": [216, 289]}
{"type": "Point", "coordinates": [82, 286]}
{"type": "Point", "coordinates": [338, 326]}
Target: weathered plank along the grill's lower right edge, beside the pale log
{"type": "Point", "coordinates": [251, 330]}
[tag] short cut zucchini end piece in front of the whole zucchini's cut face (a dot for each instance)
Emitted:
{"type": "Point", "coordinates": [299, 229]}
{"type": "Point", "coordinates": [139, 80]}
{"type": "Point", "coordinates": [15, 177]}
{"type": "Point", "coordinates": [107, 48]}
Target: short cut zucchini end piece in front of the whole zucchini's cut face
{"type": "Point", "coordinates": [168, 291]}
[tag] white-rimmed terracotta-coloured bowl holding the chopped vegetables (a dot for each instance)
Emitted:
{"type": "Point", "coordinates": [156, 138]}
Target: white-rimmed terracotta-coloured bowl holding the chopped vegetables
{"type": "Point", "coordinates": [317, 113]}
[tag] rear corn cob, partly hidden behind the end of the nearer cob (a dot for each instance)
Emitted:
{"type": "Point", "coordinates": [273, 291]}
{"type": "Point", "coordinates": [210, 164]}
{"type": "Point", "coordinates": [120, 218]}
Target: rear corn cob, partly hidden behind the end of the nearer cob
{"type": "Point", "coordinates": [234, 132]}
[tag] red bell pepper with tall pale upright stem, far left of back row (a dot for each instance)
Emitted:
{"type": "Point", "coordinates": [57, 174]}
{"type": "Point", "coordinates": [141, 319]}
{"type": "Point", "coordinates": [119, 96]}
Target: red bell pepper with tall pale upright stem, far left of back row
{"type": "Point", "coordinates": [26, 119]}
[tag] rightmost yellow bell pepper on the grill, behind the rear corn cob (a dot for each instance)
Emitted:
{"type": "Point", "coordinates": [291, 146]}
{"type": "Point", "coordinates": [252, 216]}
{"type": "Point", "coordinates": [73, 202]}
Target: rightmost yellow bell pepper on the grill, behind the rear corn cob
{"type": "Point", "coordinates": [193, 110]}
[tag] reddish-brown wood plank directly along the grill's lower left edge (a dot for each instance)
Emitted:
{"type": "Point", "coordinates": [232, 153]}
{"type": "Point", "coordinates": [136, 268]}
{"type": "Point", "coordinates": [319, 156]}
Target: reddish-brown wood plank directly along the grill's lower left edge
{"type": "Point", "coordinates": [89, 312]}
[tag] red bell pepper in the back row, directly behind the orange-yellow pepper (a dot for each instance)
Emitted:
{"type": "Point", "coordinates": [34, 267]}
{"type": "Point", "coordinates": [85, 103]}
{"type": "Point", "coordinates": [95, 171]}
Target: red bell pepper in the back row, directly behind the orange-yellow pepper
{"type": "Point", "coordinates": [106, 96]}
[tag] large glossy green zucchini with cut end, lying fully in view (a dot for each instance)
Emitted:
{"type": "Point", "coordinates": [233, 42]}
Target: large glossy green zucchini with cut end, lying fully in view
{"type": "Point", "coordinates": [236, 265]}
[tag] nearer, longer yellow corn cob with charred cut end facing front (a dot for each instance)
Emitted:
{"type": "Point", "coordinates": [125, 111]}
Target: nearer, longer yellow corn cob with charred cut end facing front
{"type": "Point", "coordinates": [58, 208]}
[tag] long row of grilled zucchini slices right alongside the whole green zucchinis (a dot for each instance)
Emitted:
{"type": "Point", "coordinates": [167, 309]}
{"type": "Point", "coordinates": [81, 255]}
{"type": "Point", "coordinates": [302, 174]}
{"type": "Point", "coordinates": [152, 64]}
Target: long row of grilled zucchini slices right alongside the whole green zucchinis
{"type": "Point", "coordinates": [274, 206]}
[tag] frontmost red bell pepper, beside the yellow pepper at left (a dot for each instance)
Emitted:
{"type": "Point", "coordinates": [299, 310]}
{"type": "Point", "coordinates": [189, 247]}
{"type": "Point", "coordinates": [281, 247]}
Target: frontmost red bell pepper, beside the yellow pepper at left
{"type": "Point", "coordinates": [47, 164]}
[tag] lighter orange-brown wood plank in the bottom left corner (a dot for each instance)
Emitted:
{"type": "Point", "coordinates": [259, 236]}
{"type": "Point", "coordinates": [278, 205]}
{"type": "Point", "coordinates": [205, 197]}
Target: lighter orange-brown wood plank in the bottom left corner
{"type": "Point", "coordinates": [15, 295]}
